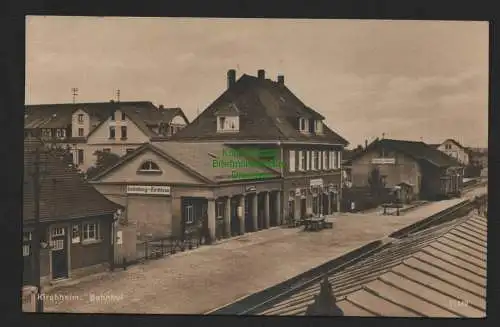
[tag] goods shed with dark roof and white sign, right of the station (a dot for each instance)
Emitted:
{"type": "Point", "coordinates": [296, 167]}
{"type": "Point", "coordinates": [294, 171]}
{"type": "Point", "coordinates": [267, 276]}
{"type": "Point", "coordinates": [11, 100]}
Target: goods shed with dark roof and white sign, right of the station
{"type": "Point", "coordinates": [430, 172]}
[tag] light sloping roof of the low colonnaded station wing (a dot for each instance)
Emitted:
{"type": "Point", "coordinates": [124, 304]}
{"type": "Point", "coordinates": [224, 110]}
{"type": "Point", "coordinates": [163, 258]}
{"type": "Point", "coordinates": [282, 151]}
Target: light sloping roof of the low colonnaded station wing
{"type": "Point", "coordinates": [194, 158]}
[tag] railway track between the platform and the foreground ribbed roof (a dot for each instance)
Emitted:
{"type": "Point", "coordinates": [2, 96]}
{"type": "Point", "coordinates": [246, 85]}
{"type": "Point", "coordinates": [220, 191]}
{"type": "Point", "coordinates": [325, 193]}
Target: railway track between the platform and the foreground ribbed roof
{"type": "Point", "coordinates": [251, 304]}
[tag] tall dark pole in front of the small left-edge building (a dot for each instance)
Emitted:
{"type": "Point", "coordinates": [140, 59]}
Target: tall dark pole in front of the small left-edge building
{"type": "Point", "coordinates": [37, 232]}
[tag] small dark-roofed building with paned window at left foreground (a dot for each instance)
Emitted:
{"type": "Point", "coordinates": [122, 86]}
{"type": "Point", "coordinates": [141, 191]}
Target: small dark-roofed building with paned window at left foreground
{"type": "Point", "coordinates": [75, 219]}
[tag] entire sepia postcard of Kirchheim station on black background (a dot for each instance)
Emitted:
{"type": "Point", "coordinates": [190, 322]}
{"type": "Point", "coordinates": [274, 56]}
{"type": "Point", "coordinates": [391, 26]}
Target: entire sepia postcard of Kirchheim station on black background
{"type": "Point", "coordinates": [255, 166]}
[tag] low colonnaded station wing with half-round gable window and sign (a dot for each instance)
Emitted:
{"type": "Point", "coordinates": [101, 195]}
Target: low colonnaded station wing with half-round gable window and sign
{"type": "Point", "coordinates": [168, 186]}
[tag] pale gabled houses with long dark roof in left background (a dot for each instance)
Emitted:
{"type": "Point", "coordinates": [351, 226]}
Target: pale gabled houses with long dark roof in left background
{"type": "Point", "coordinates": [117, 127]}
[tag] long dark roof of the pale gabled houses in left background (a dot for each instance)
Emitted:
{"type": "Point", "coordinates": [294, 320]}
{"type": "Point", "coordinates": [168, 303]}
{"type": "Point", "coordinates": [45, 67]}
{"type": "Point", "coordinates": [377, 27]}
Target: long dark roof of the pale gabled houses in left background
{"type": "Point", "coordinates": [142, 113]}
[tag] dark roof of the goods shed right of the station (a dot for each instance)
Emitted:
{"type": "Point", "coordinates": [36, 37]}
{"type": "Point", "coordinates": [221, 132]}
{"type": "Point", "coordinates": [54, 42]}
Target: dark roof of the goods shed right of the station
{"type": "Point", "coordinates": [417, 150]}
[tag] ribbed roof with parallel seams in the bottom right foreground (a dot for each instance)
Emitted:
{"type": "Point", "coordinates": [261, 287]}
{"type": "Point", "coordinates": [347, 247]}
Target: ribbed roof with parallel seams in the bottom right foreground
{"type": "Point", "coordinates": [427, 274]}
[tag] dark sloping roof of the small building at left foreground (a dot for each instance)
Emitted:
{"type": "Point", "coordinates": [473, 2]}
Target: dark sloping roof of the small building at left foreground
{"type": "Point", "coordinates": [64, 194]}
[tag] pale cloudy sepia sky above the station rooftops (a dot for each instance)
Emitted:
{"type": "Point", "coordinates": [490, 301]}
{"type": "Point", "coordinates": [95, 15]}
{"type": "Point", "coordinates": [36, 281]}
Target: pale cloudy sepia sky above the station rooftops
{"type": "Point", "coordinates": [411, 80]}
